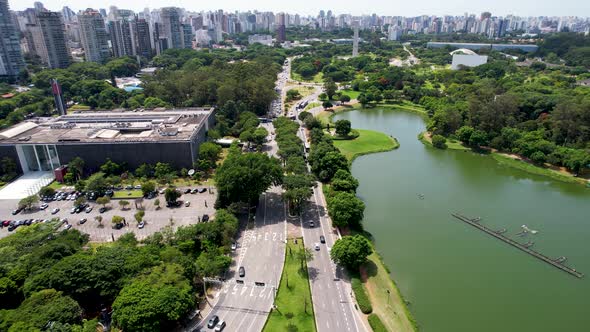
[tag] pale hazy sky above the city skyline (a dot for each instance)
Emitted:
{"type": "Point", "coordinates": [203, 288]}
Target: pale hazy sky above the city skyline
{"type": "Point", "coordinates": [355, 7]}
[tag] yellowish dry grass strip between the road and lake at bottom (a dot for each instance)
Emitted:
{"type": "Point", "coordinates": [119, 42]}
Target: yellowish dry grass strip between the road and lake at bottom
{"type": "Point", "coordinates": [385, 298]}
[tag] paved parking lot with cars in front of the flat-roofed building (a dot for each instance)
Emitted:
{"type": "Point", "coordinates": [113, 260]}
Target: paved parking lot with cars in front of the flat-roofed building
{"type": "Point", "coordinates": [155, 219]}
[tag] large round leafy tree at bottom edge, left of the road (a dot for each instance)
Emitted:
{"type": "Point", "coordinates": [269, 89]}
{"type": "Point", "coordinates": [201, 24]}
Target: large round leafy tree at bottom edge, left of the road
{"type": "Point", "coordinates": [153, 302]}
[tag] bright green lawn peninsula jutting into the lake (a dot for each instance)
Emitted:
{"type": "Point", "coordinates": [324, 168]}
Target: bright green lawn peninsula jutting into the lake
{"type": "Point", "coordinates": [369, 141]}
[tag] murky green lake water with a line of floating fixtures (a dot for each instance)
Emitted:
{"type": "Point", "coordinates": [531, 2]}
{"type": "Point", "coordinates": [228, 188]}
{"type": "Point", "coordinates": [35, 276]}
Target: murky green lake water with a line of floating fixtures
{"type": "Point", "coordinates": [456, 277]}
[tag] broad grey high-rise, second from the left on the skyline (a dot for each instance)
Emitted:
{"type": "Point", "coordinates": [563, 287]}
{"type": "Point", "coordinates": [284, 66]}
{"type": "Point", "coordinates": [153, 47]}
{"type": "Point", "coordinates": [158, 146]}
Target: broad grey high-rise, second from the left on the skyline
{"type": "Point", "coordinates": [50, 39]}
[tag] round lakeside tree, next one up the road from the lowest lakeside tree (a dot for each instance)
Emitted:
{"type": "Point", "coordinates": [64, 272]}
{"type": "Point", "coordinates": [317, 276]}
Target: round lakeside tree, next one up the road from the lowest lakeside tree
{"type": "Point", "coordinates": [346, 209]}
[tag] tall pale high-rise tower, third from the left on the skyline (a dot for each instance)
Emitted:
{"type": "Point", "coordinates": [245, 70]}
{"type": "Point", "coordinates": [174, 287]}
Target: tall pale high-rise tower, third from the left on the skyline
{"type": "Point", "coordinates": [94, 36]}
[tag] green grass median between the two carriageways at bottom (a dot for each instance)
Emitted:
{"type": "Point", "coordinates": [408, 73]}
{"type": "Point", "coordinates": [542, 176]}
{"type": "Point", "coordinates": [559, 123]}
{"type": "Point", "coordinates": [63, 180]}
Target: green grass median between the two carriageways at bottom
{"type": "Point", "coordinates": [290, 299]}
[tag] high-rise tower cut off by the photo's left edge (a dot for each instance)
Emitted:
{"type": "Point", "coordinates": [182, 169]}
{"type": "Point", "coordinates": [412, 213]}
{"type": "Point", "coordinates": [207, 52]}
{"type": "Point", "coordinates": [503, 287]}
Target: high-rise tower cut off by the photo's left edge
{"type": "Point", "coordinates": [11, 59]}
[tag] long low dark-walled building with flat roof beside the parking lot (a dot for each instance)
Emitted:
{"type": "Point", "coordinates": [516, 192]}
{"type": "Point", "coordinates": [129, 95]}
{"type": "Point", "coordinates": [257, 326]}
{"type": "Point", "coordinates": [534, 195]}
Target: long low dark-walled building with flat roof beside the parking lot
{"type": "Point", "coordinates": [131, 137]}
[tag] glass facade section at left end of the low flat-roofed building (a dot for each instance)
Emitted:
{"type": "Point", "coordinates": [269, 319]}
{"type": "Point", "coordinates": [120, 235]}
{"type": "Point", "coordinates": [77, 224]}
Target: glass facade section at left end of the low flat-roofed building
{"type": "Point", "coordinates": [38, 157]}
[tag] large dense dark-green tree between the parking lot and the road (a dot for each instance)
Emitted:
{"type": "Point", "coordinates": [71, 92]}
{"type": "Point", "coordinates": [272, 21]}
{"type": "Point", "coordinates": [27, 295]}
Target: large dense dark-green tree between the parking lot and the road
{"type": "Point", "coordinates": [244, 176]}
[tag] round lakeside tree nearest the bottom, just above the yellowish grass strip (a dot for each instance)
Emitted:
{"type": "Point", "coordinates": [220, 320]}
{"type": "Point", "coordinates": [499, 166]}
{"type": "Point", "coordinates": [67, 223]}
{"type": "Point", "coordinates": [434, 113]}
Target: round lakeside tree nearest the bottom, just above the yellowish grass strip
{"type": "Point", "coordinates": [351, 251]}
